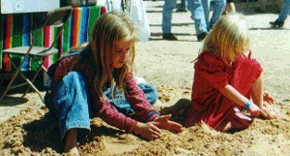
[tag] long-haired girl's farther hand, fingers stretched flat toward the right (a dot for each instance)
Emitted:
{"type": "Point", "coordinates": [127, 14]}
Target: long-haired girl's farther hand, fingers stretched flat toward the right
{"type": "Point", "coordinates": [163, 122]}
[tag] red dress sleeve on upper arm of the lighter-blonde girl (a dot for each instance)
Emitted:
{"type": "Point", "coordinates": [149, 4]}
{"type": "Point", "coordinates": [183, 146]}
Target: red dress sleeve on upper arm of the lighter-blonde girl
{"type": "Point", "coordinates": [213, 70]}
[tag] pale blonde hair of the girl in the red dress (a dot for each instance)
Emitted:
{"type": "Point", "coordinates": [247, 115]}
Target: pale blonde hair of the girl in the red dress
{"type": "Point", "coordinates": [229, 37]}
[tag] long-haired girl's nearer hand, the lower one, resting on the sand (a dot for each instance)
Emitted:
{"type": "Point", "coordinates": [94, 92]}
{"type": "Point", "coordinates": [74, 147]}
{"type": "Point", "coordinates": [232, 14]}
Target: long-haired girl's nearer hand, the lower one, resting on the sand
{"type": "Point", "coordinates": [147, 130]}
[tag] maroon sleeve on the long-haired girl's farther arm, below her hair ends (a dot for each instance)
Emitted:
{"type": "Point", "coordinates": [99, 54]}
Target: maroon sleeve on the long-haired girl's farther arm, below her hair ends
{"type": "Point", "coordinates": [137, 99]}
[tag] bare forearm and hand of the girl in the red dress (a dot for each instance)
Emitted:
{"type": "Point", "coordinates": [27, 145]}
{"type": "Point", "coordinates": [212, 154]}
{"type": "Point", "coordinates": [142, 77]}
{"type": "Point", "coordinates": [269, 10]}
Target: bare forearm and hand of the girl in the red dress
{"type": "Point", "coordinates": [232, 94]}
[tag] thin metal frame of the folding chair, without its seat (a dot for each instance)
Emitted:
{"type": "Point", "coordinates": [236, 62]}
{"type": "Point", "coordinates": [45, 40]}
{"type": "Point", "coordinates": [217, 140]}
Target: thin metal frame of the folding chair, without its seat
{"type": "Point", "coordinates": [39, 54]}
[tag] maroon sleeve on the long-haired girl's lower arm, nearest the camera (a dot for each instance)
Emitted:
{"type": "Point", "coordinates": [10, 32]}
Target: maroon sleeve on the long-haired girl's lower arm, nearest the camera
{"type": "Point", "coordinates": [114, 118]}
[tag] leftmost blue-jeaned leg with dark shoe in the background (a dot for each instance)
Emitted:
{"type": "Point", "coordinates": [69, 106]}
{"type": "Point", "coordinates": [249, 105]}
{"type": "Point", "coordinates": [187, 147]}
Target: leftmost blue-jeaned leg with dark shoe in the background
{"type": "Point", "coordinates": [168, 7]}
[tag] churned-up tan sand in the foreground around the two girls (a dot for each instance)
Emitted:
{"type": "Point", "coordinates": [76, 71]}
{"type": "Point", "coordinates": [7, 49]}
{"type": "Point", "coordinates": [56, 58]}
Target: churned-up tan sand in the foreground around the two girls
{"type": "Point", "coordinates": [31, 133]}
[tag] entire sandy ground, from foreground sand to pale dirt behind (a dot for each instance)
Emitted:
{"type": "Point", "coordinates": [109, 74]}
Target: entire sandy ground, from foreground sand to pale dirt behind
{"type": "Point", "coordinates": [166, 65]}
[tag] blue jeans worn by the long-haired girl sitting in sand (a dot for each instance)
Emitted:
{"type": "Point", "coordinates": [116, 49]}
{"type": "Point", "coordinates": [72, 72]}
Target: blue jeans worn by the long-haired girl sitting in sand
{"type": "Point", "coordinates": [68, 103]}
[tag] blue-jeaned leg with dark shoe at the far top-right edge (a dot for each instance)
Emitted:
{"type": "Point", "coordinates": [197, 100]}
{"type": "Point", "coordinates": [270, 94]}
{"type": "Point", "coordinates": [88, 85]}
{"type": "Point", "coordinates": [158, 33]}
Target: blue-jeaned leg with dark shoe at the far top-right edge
{"type": "Point", "coordinates": [283, 14]}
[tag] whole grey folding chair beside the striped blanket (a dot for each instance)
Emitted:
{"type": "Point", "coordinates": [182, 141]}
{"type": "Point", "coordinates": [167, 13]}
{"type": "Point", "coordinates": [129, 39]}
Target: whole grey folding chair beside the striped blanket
{"type": "Point", "coordinates": [57, 18]}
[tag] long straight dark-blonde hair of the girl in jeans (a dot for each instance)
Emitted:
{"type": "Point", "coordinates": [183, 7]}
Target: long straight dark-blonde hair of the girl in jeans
{"type": "Point", "coordinates": [107, 31]}
